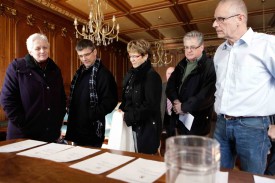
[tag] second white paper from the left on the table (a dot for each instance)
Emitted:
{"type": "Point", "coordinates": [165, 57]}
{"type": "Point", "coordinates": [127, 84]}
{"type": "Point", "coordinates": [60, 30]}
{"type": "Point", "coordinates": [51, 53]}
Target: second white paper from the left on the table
{"type": "Point", "coordinates": [44, 151]}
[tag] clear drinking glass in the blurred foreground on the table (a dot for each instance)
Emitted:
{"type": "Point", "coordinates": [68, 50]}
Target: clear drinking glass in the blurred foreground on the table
{"type": "Point", "coordinates": [190, 158]}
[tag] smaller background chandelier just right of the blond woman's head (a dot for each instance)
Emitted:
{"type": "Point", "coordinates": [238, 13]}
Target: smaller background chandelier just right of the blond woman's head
{"type": "Point", "coordinates": [160, 56]}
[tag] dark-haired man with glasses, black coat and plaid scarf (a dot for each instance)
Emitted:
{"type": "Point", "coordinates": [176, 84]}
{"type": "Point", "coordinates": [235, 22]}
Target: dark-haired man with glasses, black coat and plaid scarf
{"type": "Point", "coordinates": [93, 95]}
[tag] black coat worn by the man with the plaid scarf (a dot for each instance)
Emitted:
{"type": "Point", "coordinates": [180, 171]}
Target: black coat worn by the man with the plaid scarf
{"type": "Point", "coordinates": [82, 118]}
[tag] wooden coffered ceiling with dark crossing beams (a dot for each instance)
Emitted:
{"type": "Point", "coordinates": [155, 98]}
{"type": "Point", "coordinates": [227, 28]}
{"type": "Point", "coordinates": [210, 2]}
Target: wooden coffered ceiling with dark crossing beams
{"type": "Point", "coordinates": [168, 20]}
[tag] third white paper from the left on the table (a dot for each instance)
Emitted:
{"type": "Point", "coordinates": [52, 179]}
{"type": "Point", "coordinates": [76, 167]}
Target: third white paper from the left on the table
{"type": "Point", "coordinates": [71, 154]}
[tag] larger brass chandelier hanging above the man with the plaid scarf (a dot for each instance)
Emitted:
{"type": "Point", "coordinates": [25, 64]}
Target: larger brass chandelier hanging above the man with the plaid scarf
{"type": "Point", "coordinates": [96, 30]}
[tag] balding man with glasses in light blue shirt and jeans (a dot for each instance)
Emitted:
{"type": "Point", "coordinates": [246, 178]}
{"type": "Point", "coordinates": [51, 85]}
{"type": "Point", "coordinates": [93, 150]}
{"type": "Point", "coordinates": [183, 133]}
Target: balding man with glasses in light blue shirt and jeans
{"type": "Point", "coordinates": [245, 95]}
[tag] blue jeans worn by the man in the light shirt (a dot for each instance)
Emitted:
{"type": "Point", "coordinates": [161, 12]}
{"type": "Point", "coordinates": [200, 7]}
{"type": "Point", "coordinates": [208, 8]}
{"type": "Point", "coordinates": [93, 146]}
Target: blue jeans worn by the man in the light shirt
{"type": "Point", "coordinates": [245, 138]}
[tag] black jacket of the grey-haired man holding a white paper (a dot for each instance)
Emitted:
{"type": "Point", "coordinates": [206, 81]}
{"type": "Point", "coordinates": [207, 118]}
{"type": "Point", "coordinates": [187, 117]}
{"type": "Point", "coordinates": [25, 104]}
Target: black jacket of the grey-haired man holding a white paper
{"type": "Point", "coordinates": [196, 94]}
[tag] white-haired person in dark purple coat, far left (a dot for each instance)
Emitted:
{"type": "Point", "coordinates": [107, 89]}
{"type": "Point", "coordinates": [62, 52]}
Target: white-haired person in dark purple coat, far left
{"type": "Point", "coordinates": [33, 95]}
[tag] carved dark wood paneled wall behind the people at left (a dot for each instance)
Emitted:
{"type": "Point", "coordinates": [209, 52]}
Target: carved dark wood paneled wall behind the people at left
{"type": "Point", "coordinates": [19, 19]}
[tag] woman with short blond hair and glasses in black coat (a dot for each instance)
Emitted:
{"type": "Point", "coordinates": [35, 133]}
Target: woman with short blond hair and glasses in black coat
{"type": "Point", "coordinates": [141, 97]}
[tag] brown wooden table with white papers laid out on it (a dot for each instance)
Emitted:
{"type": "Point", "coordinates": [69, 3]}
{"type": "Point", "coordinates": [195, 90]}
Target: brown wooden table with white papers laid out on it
{"type": "Point", "coordinates": [15, 168]}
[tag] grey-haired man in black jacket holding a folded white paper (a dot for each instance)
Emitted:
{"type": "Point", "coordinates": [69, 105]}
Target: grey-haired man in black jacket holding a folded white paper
{"type": "Point", "coordinates": [191, 88]}
